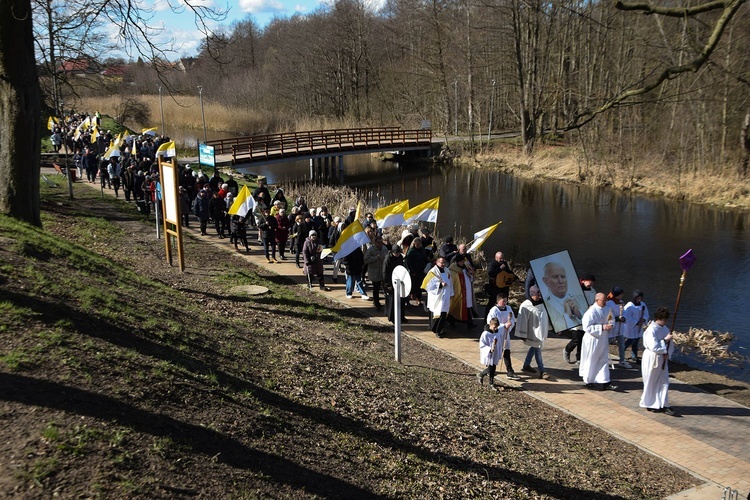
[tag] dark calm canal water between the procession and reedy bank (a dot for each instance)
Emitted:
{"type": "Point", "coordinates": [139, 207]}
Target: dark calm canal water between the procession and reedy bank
{"type": "Point", "coordinates": [627, 241]}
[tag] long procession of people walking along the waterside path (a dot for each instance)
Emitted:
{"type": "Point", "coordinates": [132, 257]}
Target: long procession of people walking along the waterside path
{"type": "Point", "coordinates": [442, 275]}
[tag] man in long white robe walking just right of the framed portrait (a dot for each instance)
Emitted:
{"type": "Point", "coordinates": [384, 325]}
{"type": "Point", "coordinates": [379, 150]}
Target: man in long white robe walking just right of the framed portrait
{"type": "Point", "coordinates": [597, 323]}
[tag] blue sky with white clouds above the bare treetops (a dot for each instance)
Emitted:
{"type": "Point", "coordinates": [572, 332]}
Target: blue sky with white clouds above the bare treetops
{"type": "Point", "coordinates": [181, 26]}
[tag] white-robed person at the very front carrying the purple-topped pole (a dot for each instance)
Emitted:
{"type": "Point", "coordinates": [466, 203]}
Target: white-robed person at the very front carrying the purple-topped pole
{"type": "Point", "coordinates": [654, 367]}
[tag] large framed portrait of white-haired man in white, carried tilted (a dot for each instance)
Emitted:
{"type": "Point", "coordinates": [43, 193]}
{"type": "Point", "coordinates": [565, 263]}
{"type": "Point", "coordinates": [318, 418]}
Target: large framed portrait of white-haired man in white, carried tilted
{"type": "Point", "coordinates": [561, 290]}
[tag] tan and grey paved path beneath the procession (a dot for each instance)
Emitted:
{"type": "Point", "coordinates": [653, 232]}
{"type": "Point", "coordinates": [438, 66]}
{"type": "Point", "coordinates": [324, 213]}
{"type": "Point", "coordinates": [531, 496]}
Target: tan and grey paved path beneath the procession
{"type": "Point", "coordinates": [710, 439]}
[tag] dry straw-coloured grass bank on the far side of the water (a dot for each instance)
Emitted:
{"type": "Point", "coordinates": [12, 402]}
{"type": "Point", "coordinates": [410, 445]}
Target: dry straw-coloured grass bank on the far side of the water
{"type": "Point", "coordinates": [646, 177]}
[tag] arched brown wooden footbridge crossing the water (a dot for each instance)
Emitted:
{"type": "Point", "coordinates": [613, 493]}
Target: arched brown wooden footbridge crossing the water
{"type": "Point", "coordinates": [320, 144]}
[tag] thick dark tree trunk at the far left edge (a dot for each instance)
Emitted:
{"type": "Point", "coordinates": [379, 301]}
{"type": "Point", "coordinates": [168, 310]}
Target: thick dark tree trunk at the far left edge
{"type": "Point", "coordinates": [20, 110]}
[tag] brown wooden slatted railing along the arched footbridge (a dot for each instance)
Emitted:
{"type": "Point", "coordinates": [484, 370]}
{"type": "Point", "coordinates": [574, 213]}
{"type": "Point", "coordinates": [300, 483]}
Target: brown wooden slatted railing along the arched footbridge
{"type": "Point", "coordinates": [292, 144]}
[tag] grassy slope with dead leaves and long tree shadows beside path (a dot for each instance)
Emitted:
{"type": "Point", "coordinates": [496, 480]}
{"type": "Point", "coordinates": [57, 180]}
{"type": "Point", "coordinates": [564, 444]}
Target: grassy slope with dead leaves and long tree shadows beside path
{"type": "Point", "coordinates": [122, 377]}
